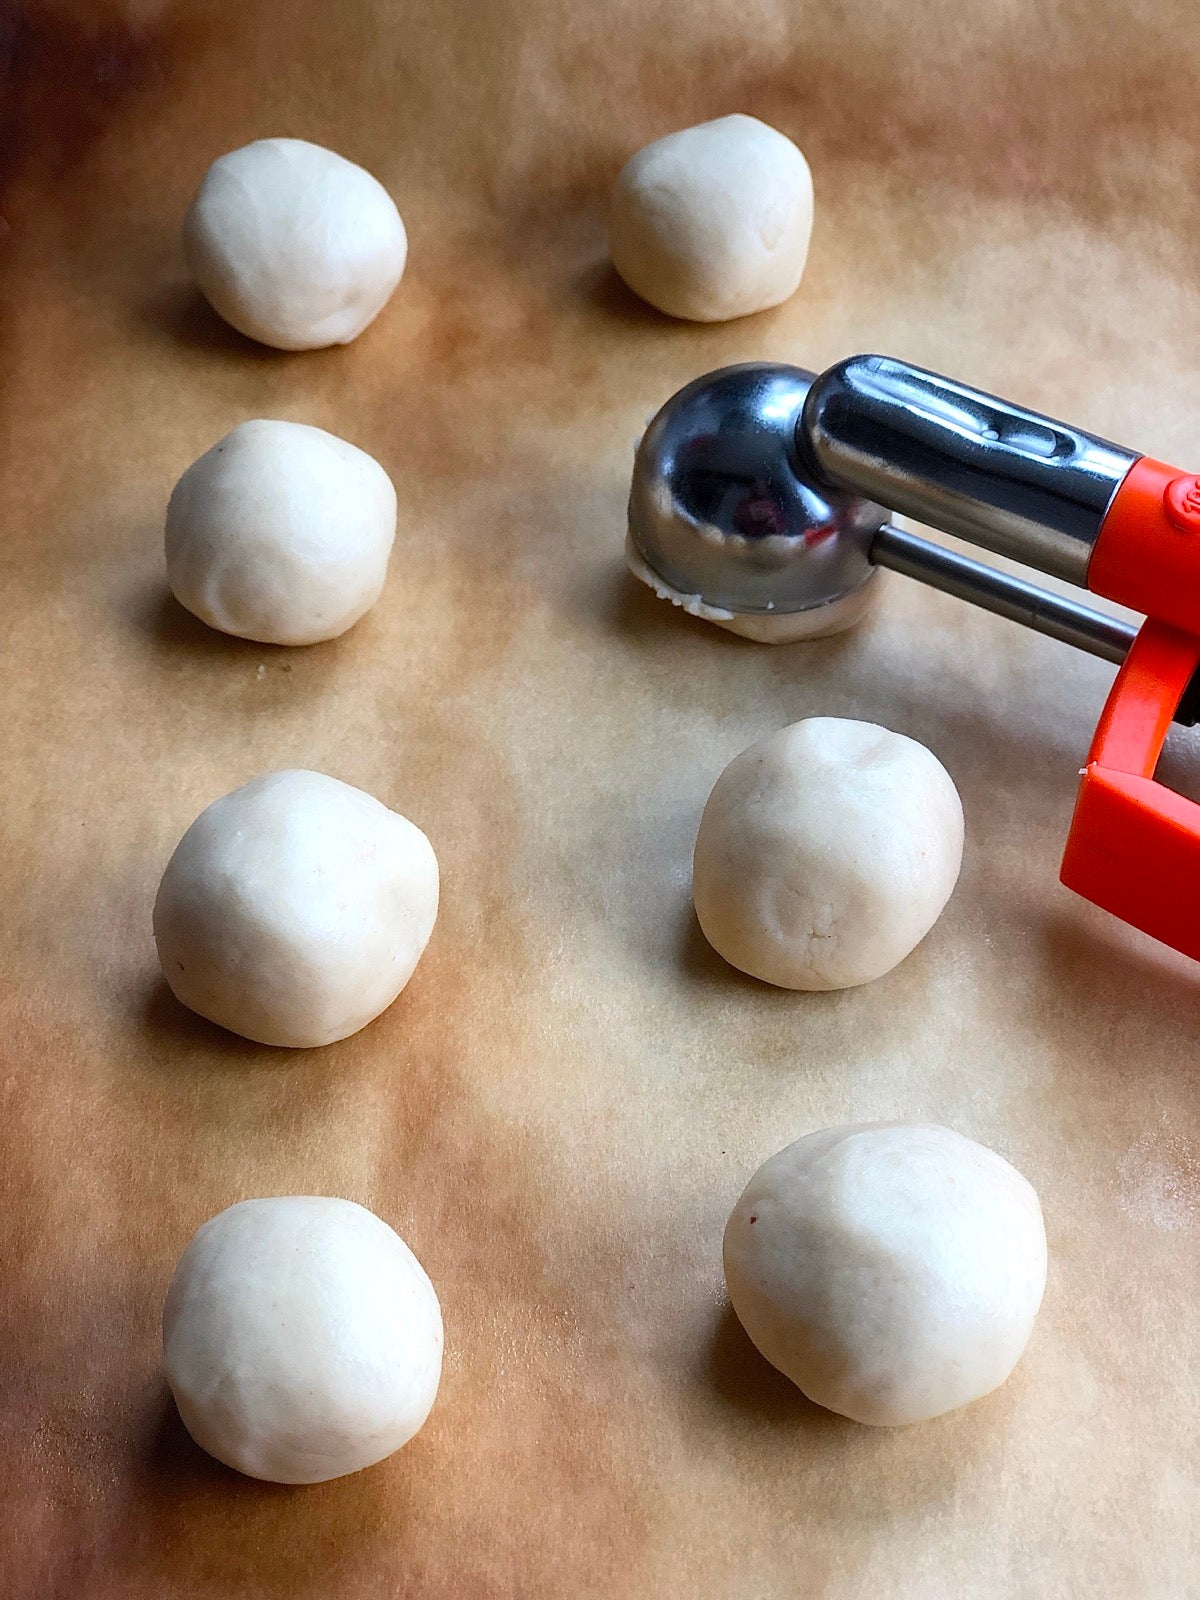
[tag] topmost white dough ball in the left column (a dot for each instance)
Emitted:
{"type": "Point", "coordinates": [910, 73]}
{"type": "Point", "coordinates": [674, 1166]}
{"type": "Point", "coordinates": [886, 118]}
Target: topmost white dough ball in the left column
{"type": "Point", "coordinates": [294, 246]}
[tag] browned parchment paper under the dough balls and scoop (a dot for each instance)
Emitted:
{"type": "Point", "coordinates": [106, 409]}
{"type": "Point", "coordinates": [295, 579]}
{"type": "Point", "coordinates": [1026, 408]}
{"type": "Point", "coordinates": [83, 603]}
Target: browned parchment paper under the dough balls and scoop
{"type": "Point", "coordinates": [566, 1103]}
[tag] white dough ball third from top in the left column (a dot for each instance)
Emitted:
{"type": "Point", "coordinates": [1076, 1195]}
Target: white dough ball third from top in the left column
{"type": "Point", "coordinates": [295, 910]}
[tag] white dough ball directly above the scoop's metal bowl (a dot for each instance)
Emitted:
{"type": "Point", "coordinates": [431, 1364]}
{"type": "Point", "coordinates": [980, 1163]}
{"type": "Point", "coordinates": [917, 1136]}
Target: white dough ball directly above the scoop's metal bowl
{"type": "Point", "coordinates": [714, 222]}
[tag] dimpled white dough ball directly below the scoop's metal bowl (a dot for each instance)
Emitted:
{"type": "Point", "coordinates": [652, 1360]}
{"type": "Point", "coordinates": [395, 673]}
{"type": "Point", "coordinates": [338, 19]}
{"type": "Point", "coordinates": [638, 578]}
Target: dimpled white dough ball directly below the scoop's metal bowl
{"type": "Point", "coordinates": [826, 854]}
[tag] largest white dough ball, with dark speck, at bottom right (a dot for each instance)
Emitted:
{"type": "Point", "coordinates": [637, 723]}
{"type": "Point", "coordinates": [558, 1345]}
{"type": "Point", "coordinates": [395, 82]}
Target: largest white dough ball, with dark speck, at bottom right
{"type": "Point", "coordinates": [892, 1271]}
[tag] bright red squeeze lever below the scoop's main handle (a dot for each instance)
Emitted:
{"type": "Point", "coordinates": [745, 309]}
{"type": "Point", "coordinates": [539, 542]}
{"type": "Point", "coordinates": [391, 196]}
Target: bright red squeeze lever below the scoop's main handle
{"type": "Point", "coordinates": [1135, 846]}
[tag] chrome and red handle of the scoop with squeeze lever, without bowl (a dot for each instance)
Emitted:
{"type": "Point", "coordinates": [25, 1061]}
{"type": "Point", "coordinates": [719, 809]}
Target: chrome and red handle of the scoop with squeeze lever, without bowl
{"type": "Point", "coordinates": [1054, 497]}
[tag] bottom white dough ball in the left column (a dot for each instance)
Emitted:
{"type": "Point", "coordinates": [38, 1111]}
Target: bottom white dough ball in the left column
{"type": "Point", "coordinates": [302, 1338]}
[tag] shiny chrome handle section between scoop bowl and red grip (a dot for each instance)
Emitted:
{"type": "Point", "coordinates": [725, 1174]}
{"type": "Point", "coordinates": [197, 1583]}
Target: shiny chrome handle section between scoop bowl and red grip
{"type": "Point", "coordinates": [1006, 479]}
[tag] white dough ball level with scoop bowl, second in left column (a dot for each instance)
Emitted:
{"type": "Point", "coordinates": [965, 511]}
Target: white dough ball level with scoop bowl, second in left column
{"type": "Point", "coordinates": [281, 534]}
